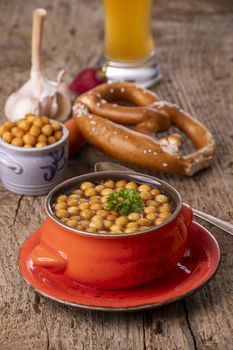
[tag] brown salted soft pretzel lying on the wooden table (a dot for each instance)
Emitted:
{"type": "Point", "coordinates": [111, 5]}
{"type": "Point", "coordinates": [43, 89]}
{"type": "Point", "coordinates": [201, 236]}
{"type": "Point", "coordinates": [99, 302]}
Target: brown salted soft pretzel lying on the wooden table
{"type": "Point", "coordinates": [101, 117]}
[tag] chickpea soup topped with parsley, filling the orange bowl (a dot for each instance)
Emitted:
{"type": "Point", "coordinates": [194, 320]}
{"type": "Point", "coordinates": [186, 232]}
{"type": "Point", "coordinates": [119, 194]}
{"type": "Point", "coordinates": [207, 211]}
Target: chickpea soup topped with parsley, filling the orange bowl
{"type": "Point", "coordinates": [113, 207]}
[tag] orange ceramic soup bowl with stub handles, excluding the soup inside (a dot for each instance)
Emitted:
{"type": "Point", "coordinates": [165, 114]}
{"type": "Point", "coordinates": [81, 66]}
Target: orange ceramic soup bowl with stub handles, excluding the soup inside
{"type": "Point", "coordinates": [113, 261]}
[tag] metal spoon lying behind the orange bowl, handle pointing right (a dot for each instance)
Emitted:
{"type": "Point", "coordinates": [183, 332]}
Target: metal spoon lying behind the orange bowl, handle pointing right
{"type": "Point", "coordinates": [225, 226]}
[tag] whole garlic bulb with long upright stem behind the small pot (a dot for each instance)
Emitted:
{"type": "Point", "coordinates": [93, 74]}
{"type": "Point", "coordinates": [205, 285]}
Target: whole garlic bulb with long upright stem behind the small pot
{"type": "Point", "coordinates": [39, 95]}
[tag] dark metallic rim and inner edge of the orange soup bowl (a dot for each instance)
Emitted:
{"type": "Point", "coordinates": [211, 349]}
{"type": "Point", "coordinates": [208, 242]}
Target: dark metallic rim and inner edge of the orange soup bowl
{"type": "Point", "coordinates": [68, 184]}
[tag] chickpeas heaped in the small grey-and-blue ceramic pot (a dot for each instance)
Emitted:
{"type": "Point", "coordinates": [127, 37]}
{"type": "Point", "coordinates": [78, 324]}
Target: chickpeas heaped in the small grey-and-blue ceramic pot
{"type": "Point", "coordinates": [32, 131]}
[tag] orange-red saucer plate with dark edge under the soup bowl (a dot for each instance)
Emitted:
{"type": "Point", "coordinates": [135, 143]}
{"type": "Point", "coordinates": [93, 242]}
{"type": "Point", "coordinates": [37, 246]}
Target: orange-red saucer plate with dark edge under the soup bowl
{"type": "Point", "coordinates": [198, 265]}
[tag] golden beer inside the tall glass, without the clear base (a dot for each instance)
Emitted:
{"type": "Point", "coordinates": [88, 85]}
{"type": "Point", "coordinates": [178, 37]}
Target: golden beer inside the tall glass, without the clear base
{"type": "Point", "coordinates": [128, 35]}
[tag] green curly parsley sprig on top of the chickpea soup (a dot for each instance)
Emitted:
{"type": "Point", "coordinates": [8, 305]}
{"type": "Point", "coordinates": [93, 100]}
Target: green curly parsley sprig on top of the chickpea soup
{"type": "Point", "coordinates": [125, 201]}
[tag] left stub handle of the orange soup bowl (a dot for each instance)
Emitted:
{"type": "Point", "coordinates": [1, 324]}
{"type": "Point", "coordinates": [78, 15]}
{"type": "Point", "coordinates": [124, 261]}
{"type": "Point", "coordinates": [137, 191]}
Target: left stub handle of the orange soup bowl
{"type": "Point", "coordinates": [44, 256]}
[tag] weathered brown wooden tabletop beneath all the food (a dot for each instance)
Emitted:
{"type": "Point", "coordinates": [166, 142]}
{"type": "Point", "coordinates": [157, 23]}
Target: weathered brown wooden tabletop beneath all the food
{"type": "Point", "coordinates": [195, 47]}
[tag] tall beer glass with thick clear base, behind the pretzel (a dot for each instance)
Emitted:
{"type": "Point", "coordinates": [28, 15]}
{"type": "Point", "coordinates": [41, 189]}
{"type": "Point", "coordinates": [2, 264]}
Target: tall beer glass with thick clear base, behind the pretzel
{"type": "Point", "coordinates": [129, 51]}
